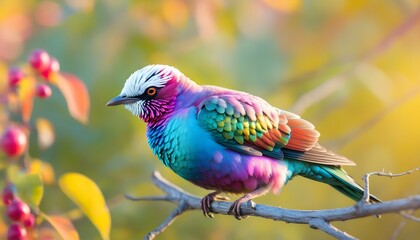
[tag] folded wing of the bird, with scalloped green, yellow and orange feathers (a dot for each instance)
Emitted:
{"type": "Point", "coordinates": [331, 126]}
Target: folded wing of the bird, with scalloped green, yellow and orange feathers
{"type": "Point", "coordinates": [249, 125]}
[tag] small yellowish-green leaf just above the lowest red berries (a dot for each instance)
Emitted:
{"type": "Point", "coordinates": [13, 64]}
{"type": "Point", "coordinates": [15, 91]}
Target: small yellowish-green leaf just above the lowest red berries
{"type": "Point", "coordinates": [30, 188]}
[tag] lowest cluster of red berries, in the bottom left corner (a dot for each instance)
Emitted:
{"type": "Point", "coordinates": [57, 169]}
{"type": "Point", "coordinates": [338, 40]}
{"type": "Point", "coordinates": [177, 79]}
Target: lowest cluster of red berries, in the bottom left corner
{"type": "Point", "coordinates": [19, 213]}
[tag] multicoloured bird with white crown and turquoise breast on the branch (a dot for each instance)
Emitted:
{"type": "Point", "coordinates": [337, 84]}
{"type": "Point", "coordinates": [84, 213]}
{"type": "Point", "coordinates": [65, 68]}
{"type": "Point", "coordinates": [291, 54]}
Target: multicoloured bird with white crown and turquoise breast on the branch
{"type": "Point", "coordinates": [229, 141]}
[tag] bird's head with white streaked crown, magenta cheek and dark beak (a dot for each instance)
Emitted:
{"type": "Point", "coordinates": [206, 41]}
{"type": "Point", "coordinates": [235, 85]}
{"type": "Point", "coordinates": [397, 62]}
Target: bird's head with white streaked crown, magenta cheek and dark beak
{"type": "Point", "coordinates": [151, 92]}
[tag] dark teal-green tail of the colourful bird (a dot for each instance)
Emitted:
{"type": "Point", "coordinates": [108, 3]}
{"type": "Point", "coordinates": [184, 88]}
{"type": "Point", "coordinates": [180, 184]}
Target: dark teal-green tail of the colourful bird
{"type": "Point", "coordinates": [338, 178]}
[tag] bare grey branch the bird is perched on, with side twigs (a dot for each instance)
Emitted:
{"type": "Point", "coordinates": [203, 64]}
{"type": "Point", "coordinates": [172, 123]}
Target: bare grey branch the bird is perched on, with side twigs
{"type": "Point", "coordinates": [318, 219]}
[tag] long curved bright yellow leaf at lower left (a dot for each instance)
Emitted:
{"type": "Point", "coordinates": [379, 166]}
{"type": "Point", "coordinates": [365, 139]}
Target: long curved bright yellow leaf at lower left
{"type": "Point", "coordinates": [87, 195]}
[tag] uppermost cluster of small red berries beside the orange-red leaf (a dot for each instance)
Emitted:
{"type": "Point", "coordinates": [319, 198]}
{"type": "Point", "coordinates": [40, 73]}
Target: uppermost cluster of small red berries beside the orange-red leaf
{"type": "Point", "coordinates": [44, 65]}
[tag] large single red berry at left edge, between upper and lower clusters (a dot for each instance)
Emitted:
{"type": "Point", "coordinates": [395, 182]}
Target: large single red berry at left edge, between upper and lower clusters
{"type": "Point", "coordinates": [13, 141]}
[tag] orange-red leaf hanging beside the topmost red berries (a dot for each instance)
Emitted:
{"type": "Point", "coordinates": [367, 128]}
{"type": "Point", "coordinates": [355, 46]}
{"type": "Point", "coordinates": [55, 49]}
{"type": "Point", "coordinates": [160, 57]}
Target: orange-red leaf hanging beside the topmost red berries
{"type": "Point", "coordinates": [76, 95]}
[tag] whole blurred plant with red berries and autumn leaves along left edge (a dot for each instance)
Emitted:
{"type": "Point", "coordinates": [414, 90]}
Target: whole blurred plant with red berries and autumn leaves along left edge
{"type": "Point", "coordinates": [24, 177]}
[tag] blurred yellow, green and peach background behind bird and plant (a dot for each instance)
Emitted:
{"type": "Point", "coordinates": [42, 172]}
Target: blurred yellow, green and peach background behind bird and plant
{"type": "Point", "coordinates": [350, 67]}
